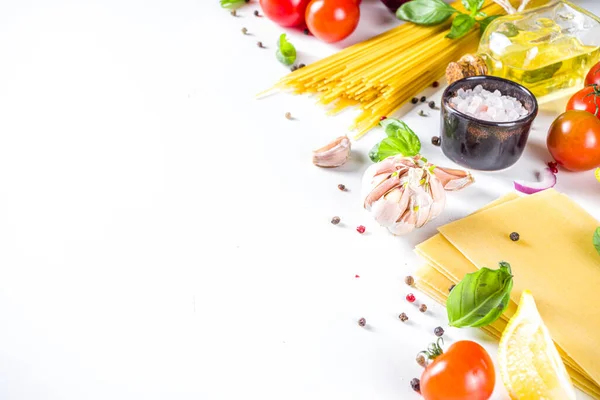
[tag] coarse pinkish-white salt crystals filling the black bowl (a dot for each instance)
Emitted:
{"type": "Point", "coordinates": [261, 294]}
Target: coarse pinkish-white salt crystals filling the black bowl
{"type": "Point", "coordinates": [488, 106]}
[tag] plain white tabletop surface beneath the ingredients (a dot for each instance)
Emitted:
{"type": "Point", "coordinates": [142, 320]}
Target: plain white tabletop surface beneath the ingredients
{"type": "Point", "coordinates": [164, 235]}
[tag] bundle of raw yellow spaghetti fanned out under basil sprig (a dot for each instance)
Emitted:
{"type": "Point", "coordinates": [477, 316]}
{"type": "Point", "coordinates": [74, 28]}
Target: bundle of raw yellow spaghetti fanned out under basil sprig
{"type": "Point", "coordinates": [379, 75]}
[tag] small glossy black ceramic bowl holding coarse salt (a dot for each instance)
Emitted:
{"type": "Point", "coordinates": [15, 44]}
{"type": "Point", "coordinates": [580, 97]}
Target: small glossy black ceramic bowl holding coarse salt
{"type": "Point", "coordinates": [485, 145]}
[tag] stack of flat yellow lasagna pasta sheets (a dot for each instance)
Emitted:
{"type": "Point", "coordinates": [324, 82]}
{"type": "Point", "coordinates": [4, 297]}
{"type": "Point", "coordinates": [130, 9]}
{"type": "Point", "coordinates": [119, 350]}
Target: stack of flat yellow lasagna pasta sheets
{"type": "Point", "coordinates": [552, 258]}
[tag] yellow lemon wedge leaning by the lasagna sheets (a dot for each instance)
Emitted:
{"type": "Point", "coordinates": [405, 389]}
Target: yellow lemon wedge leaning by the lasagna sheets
{"type": "Point", "coordinates": [530, 365]}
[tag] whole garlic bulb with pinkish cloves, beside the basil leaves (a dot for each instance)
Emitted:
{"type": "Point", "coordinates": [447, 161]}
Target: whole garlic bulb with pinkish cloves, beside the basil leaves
{"type": "Point", "coordinates": [404, 193]}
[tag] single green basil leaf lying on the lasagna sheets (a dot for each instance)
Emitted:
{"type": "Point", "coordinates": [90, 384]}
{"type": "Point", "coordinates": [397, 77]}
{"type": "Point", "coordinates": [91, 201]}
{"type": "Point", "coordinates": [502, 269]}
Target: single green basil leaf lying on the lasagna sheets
{"type": "Point", "coordinates": [481, 297]}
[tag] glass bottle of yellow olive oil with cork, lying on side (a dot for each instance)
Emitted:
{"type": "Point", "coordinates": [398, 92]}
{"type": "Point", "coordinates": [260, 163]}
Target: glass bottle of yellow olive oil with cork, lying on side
{"type": "Point", "coordinates": [548, 49]}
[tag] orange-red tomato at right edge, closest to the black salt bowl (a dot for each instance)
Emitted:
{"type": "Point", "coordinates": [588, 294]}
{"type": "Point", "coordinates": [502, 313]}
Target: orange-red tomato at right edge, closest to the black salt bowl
{"type": "Point", "coordinates": [574, 140]}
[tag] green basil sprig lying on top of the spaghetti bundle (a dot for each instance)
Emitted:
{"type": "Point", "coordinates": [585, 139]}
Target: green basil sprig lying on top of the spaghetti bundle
{"type": "Point", "coordinates": [434, 12]}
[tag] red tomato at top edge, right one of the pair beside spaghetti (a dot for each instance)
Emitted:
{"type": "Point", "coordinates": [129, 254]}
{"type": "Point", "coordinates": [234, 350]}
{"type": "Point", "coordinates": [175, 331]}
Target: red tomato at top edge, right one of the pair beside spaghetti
{"type": "Point", "coordinates": [332, 20]}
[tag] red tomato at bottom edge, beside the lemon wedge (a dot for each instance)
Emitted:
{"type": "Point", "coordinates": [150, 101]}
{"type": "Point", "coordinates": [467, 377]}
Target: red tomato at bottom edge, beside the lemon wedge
{"type": "Point", "coordinates": [464, 372]}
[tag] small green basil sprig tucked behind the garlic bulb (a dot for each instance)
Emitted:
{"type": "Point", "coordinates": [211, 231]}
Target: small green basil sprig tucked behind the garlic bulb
{"type": "Point", "coordinates": [400, 140]}
